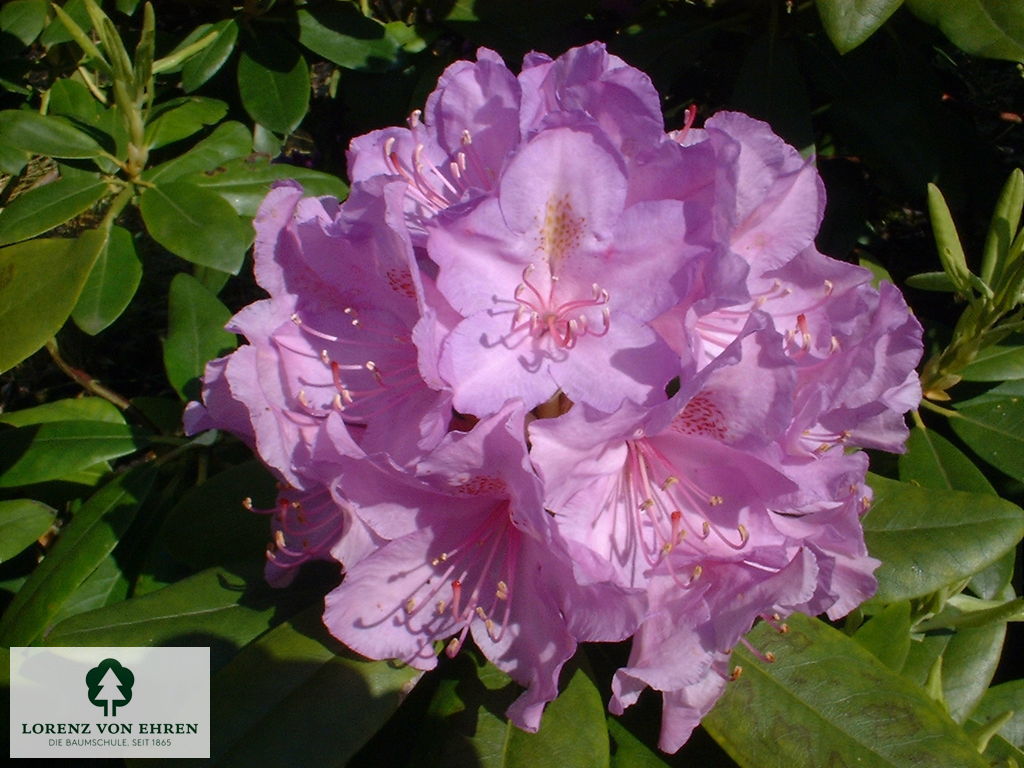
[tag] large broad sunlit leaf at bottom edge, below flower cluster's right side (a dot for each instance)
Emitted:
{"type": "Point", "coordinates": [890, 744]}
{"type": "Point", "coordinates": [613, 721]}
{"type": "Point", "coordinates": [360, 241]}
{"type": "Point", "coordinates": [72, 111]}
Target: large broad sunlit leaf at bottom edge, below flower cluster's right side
{"type": "Point", "coordinates": [827, 701]}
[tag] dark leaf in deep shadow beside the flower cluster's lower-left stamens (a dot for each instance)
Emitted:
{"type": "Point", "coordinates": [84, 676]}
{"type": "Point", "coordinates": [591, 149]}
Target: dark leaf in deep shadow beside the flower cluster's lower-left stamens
{"type": "Point", "coordinates": [210, 527]}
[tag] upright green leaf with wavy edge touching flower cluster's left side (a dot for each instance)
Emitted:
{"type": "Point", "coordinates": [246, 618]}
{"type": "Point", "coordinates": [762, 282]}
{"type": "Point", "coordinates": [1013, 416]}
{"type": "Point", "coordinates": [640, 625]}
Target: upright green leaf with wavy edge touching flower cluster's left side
{"type": "Point", "coordinates": [195, 334]}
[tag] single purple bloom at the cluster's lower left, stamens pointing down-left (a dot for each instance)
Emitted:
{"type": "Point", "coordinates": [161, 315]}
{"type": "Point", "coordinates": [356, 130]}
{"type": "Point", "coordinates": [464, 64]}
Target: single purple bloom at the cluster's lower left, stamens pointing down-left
{"type": "Point", "coordinates": [472, 551]}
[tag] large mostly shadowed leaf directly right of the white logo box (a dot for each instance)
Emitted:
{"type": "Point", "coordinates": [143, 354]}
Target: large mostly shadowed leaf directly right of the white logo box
{"type": "Point", "coordinates": [297, 679]}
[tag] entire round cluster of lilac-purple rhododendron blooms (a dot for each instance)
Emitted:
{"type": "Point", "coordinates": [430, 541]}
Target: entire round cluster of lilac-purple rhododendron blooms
{"type": "Point", "coordinates": [553, 375]}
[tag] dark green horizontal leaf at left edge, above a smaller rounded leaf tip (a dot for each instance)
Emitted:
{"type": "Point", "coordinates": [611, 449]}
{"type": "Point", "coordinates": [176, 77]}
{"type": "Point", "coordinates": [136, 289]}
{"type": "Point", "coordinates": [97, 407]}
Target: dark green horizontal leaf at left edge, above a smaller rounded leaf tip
{"type": "Point", "coordinates": [48, 452]}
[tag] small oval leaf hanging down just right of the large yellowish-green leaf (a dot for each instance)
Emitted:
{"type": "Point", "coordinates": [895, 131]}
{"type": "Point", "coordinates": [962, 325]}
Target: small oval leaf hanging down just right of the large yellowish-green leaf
{"type": "Point", "coordinates": [111, 285]}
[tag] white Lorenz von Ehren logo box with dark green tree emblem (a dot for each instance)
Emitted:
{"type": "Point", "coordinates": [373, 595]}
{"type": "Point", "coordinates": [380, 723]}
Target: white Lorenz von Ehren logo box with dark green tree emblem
{"type": "Point", "coordinates": [138, 702]}
